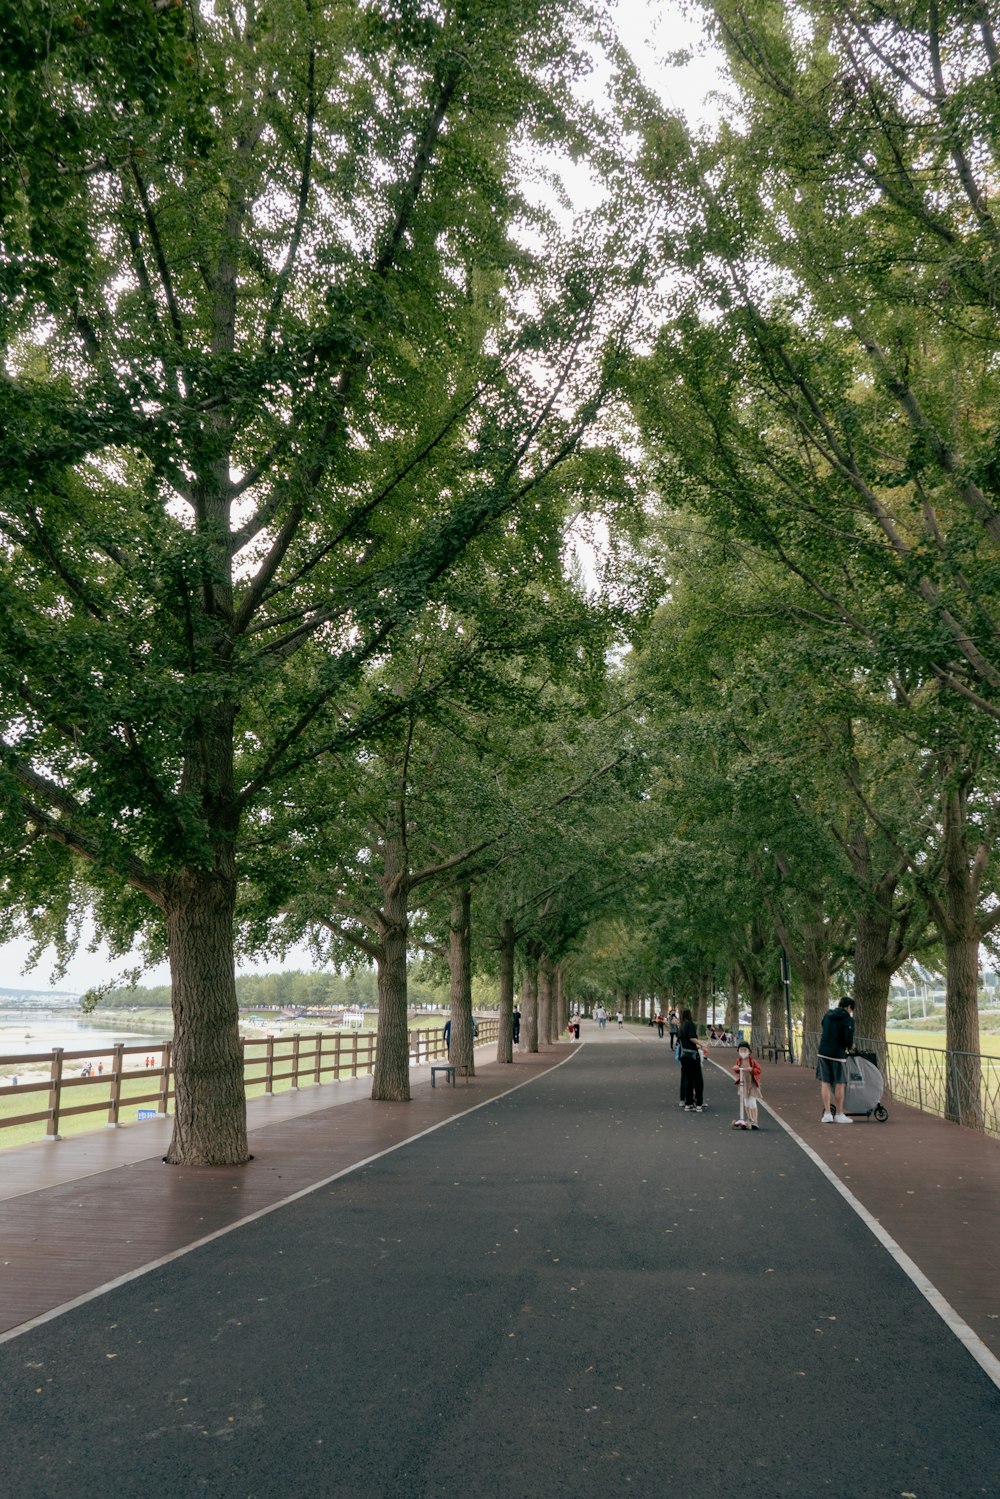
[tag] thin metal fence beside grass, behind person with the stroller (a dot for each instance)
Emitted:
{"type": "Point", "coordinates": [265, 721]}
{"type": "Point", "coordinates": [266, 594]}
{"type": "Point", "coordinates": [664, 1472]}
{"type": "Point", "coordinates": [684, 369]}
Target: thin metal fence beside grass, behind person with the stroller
{"type": "Point", "coordinates": [959, 1086]}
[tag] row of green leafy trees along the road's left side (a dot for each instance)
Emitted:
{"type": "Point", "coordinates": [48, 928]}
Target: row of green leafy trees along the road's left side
{"type": "Point", "coordinates": [304, 374]}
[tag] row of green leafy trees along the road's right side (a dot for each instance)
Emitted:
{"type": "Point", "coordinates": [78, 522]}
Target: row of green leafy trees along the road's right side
{"type": "Point", "coordinates": [821, 417]}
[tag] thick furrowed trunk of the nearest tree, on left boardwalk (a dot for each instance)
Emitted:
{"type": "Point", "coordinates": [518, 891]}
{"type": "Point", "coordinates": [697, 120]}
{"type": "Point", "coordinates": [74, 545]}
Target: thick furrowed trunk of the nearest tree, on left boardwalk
{"type": "Point", "coordinates": [208, 1058]}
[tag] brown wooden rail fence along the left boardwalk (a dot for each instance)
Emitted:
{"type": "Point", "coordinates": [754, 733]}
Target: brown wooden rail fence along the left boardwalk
{"type": "Point", "coordinates": [142, 1079]}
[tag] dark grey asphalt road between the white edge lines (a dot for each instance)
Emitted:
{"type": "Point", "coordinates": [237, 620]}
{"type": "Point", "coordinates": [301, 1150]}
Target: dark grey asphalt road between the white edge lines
{"type": "Point", "coordinates": [573, 1293]}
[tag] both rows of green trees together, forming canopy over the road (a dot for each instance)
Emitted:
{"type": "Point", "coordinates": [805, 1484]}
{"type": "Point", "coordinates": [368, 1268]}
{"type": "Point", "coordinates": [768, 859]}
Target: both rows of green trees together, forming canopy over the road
{"type": "Point", "coordinates": [314, 398]}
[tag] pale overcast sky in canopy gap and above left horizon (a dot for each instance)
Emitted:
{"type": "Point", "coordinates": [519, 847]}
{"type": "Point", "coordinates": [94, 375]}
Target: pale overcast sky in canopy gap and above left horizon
{"type": "Point", "coordinates": [651, 29]}
